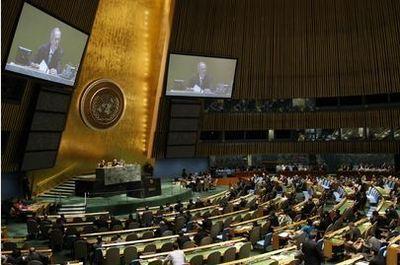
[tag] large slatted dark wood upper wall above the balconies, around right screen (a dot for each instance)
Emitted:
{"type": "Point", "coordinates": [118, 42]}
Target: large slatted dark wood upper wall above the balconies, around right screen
{"type": "Point", "coordinates": [289, 48]}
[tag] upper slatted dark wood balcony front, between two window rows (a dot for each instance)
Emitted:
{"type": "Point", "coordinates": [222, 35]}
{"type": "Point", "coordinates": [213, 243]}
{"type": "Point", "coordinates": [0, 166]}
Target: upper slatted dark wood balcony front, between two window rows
{"type": "Point", "coordinates": [385, 118]}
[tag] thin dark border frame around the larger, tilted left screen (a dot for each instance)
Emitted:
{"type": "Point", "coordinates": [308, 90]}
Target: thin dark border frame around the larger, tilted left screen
{"type": "Point", "coordinates": [15, 26]}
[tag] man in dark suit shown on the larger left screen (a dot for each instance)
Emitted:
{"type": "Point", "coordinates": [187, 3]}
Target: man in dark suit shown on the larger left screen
{"type": "Point", "coordinates": [51, 53]}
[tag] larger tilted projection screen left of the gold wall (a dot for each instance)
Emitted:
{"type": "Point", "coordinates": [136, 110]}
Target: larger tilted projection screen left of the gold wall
{"type": "Point", "coordinates": [46, 48]}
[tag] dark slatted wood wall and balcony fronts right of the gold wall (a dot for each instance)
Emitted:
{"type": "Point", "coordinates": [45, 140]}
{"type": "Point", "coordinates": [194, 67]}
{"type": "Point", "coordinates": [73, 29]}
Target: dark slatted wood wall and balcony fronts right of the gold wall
{"type": "Point", "coordinates": [293, 49]}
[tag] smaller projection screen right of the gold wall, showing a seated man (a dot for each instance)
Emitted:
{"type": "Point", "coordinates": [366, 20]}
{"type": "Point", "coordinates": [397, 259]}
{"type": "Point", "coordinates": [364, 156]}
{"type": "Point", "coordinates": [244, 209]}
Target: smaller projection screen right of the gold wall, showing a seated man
{"type": "Point", "coordinates": [200, 76]}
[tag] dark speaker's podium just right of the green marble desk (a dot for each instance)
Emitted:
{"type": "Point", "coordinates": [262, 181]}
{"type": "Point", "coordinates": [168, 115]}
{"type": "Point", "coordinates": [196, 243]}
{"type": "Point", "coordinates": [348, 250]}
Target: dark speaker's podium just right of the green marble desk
{"type": "Point", "coordinates": [148, 187]}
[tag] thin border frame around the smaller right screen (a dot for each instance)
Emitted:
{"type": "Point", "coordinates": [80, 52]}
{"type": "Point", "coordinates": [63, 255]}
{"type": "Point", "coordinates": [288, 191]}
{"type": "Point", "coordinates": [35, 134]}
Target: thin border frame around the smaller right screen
{"type": "Point", "coordinates": [198, 55]}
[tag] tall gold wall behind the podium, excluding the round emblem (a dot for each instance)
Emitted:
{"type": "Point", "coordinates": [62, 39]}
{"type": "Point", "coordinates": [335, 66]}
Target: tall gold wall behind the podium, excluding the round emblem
{"type": "Point", "coordinates": [128, 45]}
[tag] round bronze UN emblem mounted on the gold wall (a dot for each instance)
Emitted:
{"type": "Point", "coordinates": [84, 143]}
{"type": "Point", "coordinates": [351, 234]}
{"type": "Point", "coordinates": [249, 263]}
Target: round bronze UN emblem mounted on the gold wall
{"type": "Point", "coordinates": [102, 104]}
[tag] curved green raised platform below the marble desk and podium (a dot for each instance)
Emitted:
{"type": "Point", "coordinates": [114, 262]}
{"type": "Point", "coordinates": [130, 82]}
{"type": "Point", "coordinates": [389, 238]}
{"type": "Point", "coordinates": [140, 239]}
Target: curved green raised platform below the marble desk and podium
{"type": "Point", "coordinates": [122, 204]}
